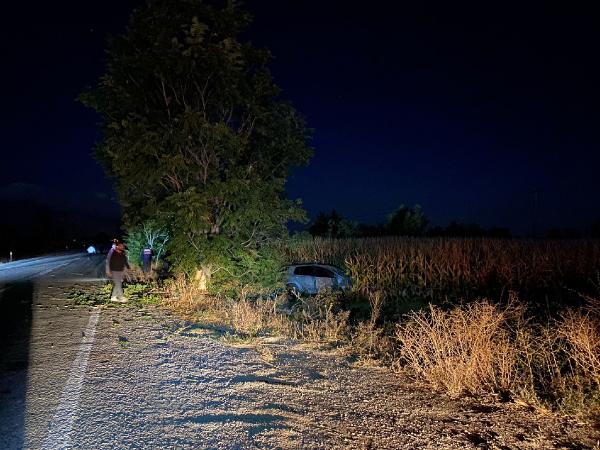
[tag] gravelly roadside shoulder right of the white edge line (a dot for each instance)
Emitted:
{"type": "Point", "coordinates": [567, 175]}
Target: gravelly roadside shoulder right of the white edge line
{"type": "Point", "coordinates": [157, 382]}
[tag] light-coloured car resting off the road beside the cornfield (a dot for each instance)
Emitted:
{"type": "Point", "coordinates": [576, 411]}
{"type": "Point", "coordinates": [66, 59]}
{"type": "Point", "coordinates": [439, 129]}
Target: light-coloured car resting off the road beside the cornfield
{"type": "Point", "coordinates": [308, 278]}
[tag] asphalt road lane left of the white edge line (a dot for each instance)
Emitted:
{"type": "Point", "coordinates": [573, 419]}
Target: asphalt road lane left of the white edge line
{"type": "Point", "coordinates": [39, 337]}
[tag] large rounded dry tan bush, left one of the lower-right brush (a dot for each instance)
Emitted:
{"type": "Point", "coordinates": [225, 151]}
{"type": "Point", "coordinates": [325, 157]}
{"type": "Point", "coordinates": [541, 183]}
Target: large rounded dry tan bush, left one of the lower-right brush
{"type": "Point", "coordinates": [465, 350]}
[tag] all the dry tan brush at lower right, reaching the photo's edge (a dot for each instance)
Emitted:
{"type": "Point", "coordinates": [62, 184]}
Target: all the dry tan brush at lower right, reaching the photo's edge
{"type": "Point", "coordinates": [484, 348]}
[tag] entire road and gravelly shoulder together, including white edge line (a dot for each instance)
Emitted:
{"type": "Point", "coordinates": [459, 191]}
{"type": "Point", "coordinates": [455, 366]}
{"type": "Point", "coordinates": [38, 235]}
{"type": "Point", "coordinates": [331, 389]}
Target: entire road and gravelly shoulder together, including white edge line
{"type": "Point", "coordinates": [127, 378]}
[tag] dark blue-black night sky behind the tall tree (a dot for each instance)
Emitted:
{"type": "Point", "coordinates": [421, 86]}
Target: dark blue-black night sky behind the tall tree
{"type": "Point", "coordinates": [466, 110]}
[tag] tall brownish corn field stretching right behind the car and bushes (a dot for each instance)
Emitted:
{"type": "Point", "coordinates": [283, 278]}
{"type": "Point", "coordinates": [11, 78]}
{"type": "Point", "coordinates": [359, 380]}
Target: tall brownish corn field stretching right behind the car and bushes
{"type": "Point", "coordinates": [436, 270]}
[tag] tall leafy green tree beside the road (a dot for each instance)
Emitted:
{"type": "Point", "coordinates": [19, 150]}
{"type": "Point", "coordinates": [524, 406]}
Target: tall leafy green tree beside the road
{"type": "Point", "coordinates": [196, 135]}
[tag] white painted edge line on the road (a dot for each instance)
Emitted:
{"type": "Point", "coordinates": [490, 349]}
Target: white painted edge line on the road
{"type": "Point", "coordinates": [61, 426]}
